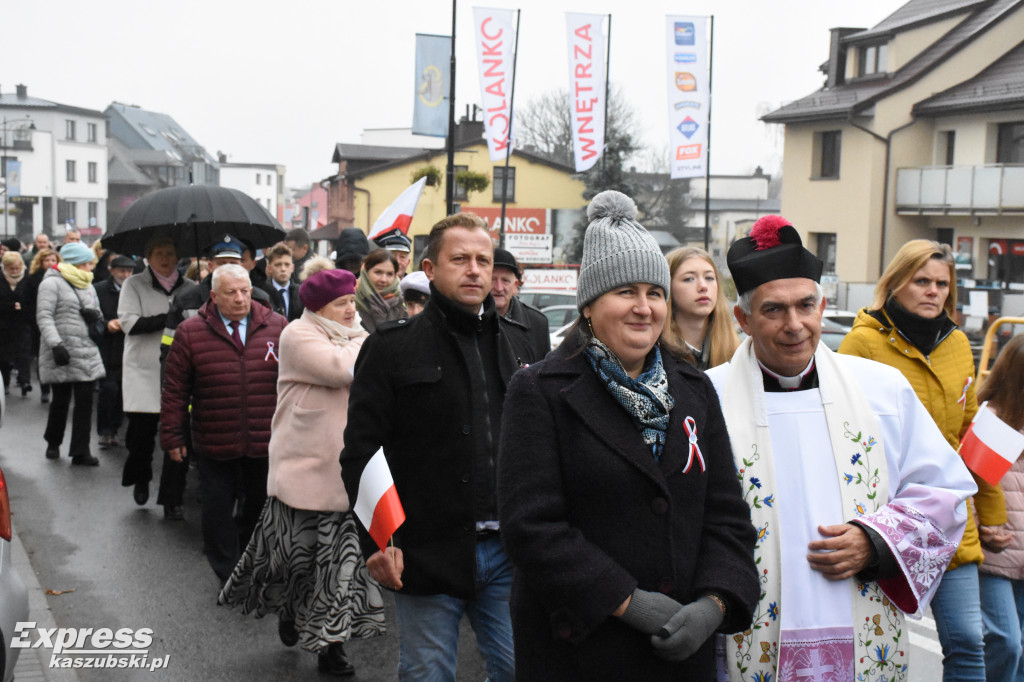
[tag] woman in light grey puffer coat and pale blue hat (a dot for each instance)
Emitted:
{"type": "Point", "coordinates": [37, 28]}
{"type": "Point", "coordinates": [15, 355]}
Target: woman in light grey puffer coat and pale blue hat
{"type": "Point", "coordinates": [69, 360]}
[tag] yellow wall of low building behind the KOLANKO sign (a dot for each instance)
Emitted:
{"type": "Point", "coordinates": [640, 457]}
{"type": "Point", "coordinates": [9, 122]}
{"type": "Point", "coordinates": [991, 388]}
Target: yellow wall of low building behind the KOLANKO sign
{"type": "Point", "coordinates": [537, 186]}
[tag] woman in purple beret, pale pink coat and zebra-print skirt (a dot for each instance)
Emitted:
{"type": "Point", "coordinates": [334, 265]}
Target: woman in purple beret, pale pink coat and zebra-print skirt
{"type": "Point", "coordinates": [304, 562]}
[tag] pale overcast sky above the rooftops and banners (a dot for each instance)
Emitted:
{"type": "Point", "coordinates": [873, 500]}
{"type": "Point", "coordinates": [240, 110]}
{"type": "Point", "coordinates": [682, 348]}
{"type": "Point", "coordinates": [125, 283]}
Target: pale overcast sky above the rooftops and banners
{"type": "Point", "coordinates": [284, 82]}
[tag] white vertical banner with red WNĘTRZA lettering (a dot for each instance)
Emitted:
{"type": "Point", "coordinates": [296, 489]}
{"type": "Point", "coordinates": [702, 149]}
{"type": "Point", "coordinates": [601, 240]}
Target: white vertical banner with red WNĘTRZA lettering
{"type": "Point", "coordinates": [587, 87]}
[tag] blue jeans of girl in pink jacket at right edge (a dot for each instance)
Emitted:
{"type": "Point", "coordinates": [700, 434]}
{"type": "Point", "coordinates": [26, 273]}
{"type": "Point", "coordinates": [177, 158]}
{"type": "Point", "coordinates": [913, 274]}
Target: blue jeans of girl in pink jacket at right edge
{"type": "Point", "coordinates": [1002, 601]}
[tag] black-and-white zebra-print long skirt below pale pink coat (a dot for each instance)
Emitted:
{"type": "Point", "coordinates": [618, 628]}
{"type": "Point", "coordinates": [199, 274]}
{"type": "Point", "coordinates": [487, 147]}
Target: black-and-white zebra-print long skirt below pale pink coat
{"type": "Point", "coordinates": [307, 567]}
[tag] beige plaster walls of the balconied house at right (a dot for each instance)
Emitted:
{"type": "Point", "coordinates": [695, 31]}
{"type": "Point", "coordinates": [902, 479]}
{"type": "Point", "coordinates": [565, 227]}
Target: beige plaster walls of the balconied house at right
{"type": "Point", "coordinates": [852, 205]}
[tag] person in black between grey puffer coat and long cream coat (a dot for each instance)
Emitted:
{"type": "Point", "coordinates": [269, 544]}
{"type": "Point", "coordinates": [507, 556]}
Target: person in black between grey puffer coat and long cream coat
{"type": "Point", "coordinates": [109, 409]}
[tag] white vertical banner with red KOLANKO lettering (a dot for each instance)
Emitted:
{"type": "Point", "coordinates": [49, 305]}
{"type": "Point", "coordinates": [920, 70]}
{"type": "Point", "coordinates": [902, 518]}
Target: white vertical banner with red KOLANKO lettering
{"type": "Point", "coordinates": [494, 31]}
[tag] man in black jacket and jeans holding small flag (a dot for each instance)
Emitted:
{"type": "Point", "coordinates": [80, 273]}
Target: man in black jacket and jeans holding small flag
{"type": "Point", "coordinates": [453, 363]}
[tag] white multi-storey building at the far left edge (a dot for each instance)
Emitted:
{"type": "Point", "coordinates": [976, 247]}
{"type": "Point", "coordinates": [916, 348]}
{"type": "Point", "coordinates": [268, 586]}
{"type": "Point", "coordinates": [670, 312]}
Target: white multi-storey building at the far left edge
{"type": "Point", "coordinates": [55, 167]}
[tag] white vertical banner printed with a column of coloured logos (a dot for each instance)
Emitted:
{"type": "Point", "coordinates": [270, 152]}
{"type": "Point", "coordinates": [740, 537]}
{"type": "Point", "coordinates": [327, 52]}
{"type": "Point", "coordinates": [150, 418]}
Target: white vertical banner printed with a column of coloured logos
{"type": "Point", "coordinates": [690, 95]}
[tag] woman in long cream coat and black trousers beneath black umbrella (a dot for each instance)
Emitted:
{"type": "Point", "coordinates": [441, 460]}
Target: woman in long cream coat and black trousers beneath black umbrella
{"type": "Point", "coordinates": [143, 309]}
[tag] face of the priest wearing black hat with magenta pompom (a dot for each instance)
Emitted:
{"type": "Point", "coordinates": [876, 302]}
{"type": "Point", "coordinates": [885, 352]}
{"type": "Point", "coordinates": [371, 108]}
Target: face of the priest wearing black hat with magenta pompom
{"type": "Point", "coordinates": [785, 324]}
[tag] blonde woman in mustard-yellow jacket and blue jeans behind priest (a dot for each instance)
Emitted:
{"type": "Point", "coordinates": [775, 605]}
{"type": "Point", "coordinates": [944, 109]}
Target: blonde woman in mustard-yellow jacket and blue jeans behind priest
{"type": "Point", "coordinates": [909, 327]}
